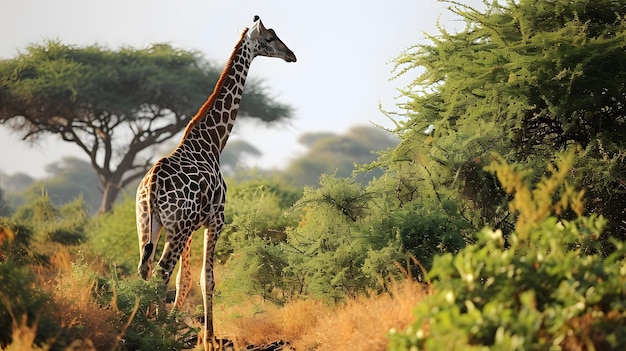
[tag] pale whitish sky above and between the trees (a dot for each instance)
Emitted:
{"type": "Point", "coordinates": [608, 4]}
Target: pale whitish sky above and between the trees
{"type": "Point", "coordinates": [343, 48]}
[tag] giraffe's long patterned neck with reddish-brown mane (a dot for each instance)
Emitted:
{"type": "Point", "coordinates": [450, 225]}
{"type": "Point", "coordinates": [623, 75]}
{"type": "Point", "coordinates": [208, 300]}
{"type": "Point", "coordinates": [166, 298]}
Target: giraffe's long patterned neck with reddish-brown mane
{"type": "Point", "coordinates": [209, 129]}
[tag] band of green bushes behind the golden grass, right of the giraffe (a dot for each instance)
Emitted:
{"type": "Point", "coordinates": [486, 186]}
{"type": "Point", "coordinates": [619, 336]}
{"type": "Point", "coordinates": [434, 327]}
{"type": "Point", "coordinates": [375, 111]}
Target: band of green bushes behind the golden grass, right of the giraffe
{"type": "Point", "coordinates": [350, 239]}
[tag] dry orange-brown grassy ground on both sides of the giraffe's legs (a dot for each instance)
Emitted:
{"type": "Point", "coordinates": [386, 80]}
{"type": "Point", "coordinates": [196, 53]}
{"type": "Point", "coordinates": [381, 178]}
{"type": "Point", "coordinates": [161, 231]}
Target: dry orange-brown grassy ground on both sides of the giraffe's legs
{"type": "Point", "coordinates": [360, 323]}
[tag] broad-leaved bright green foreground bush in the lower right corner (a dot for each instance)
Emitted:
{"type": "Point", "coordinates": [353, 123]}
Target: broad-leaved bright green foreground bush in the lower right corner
{"type": "Point", "coordinates": [549, 289]}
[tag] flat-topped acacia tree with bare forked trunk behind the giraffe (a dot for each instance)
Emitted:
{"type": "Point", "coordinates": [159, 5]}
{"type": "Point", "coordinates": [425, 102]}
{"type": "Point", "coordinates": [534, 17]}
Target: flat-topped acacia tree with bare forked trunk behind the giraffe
{"type": "Point", "coordinates": [114, 104]}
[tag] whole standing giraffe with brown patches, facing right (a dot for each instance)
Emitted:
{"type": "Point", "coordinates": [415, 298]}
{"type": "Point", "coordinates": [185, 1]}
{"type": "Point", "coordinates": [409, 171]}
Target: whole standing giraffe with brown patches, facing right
{"type": "Point", "coordinates": [185, 190]}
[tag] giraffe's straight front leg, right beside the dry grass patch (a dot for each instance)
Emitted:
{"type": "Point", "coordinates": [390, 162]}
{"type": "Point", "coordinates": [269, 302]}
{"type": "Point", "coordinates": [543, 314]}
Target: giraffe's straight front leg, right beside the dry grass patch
{"type": "Point", "coordinates": [207, 282]}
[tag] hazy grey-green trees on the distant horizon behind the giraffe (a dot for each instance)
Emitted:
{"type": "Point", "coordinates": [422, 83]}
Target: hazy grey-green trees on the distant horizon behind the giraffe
{"type": "Point", "coordinates": [72, 177]}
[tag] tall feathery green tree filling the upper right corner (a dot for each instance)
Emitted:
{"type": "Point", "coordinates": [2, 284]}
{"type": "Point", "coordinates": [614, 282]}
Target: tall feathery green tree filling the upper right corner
{"type": "Point", "coordinates": [527, 79]}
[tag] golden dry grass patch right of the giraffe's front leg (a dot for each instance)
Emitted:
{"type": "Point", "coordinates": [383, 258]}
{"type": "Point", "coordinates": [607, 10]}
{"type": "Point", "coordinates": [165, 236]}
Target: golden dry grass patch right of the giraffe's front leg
{"type": "Point", "coordinates": [359, 324]}
